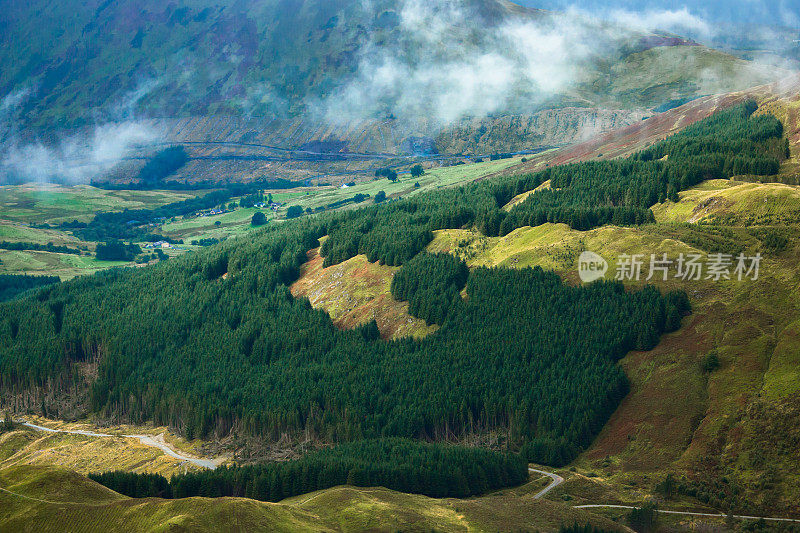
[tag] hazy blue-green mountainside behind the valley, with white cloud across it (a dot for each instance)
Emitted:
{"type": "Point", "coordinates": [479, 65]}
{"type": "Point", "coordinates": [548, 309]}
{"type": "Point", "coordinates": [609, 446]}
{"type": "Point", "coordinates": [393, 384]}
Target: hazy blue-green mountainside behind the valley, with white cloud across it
{"type": "Point", "coordinates": [325, 60]}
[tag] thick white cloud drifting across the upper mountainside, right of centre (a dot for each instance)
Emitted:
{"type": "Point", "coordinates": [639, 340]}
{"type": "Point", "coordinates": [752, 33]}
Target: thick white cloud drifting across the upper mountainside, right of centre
{"type": "Point", "coordinates": [447, 64]}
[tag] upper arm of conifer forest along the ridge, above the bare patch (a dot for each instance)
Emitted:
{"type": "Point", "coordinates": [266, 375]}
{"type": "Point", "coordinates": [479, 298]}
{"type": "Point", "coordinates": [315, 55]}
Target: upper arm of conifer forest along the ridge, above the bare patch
{"type": "Point", "coordinates": [583, 195]}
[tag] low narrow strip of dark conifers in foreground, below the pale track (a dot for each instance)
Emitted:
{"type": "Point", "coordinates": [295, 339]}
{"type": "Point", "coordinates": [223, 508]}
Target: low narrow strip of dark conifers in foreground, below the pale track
{"type": "Point", "coordinates": [436, 470]}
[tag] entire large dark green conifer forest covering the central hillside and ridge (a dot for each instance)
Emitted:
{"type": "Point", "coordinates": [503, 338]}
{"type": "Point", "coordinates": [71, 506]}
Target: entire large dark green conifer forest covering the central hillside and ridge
{"type": "Point", "coordinates": [214, 341]}
